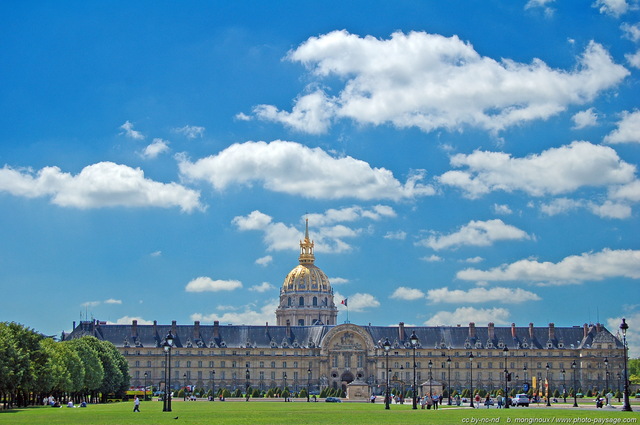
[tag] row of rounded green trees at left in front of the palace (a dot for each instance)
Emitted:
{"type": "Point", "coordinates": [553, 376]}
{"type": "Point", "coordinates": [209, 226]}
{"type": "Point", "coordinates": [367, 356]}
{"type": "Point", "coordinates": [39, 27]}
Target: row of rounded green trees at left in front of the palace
{"type": "Point", "coordinates": [34, 366]}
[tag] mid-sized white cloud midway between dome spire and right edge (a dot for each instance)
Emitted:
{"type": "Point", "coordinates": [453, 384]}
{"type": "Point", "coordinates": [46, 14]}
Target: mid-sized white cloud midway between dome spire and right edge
{"type": "Point", "coordinates": [476, 233]}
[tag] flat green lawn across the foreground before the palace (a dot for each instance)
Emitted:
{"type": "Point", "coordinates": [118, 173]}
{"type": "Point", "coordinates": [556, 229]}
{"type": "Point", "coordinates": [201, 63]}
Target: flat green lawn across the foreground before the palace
{"type": "Point", "coordinates": [255, 412]}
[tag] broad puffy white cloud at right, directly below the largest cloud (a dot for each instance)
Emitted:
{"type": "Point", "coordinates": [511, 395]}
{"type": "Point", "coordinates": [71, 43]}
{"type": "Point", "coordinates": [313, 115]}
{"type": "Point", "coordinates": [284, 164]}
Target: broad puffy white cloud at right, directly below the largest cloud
{"type": "Point", "coordinates": [554, 171]}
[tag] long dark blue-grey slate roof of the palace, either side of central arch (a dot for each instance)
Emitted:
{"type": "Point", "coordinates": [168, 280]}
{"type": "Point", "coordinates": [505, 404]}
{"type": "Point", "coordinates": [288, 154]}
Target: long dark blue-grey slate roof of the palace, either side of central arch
{"type": "Point", "coordinates": [430, 337]}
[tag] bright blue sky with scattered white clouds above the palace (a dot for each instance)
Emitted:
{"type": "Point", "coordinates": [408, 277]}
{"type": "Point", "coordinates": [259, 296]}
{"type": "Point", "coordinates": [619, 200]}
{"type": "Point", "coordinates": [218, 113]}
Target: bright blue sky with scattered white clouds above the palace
{"type": "Point", "coordinates": [457, 161]}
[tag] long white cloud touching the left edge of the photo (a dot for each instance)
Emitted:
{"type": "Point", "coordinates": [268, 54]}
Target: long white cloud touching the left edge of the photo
{"type": "Point", "coordinates": [104, 184]}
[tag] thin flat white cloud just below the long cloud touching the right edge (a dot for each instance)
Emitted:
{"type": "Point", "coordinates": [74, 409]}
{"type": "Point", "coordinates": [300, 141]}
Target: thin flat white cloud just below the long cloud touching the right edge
{"type": "Point", "coordinates": [481, 295]}
